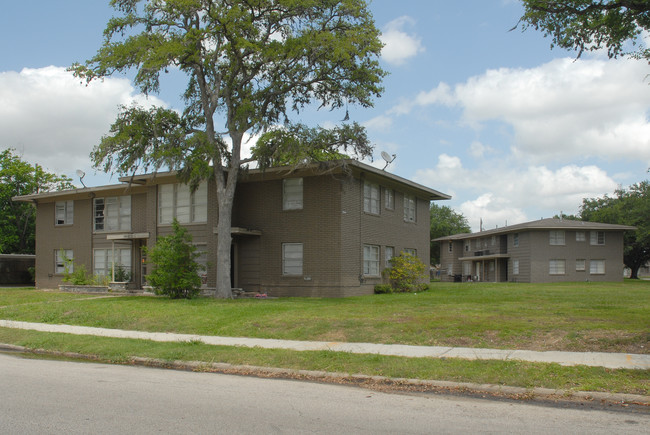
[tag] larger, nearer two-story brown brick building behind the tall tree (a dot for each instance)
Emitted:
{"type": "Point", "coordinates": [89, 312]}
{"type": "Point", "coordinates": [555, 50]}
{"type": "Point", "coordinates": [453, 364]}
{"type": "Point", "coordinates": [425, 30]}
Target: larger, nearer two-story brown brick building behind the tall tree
{"type": "Point", "coordinates": [301, 232]}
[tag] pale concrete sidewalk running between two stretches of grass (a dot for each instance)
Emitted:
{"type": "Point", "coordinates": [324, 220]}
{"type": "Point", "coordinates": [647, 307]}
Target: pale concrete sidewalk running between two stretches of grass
{"type": "Point", "coordinates": [594, 359]}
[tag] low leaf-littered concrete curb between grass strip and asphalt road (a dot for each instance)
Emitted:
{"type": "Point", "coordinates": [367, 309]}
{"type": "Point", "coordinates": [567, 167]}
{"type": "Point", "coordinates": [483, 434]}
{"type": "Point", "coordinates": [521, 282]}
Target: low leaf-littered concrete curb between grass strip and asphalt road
{"type": "Point", "coordinates": [373, 382]}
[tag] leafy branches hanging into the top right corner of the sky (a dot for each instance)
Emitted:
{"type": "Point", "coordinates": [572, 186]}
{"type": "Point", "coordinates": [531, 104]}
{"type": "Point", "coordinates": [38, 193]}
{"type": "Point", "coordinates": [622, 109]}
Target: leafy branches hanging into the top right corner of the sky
{"type": "Point", "coordinates": [587, 25]}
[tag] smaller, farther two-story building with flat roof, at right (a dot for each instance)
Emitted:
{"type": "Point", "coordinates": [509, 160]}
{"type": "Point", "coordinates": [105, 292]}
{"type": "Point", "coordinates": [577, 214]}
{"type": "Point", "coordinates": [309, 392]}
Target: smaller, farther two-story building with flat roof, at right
{"type": "Point", "coordinates": [547, 250]}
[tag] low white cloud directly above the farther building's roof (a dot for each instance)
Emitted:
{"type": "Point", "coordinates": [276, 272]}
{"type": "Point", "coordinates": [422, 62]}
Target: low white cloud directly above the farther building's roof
{"type": "Point", "coordinates": [503, 192]}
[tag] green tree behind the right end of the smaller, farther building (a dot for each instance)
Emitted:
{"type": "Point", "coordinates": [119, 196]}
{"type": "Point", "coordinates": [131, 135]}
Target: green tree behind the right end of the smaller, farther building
{"type": "Point", "coordinates": [627, 207]}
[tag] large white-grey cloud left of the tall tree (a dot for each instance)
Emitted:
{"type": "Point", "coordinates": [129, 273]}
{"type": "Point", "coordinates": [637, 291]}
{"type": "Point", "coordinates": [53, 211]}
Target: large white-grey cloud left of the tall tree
{"type": "Point", "coordinates": [53, 120]}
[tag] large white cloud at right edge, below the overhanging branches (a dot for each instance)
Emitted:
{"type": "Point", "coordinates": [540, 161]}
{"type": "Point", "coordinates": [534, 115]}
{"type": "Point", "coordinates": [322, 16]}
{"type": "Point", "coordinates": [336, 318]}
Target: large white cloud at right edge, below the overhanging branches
{"type": "Point", "coordinates": [564, 108]}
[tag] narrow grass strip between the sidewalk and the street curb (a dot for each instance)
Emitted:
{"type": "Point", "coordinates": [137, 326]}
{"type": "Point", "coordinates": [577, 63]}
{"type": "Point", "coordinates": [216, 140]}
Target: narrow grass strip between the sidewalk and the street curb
{"type": "Point", "coordinates": [512, 373]}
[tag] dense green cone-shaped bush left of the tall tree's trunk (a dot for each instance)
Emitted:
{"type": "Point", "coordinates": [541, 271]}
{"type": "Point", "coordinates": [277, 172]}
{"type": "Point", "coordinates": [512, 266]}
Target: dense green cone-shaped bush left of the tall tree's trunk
{"type": "Point", "coordinates": [176, 270]}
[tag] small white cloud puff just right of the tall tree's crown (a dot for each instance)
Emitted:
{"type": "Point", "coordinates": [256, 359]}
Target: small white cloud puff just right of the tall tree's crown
{"type": "Point", "coordinates": [399, 45]}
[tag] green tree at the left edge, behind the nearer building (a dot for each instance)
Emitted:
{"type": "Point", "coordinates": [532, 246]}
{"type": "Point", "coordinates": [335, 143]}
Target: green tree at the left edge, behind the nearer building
{"type": "Point", "coordinates": [18, 219]}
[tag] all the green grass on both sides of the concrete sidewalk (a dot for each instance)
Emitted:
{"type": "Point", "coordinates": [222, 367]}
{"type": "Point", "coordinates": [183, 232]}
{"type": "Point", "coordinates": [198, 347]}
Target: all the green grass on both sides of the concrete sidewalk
{"type": "Point", "coordinates": [573, 316]}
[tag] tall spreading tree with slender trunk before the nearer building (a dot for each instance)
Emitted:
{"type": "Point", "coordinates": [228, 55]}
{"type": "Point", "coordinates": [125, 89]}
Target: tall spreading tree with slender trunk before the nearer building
{"type": "Point", "coordinates": [249, 64]}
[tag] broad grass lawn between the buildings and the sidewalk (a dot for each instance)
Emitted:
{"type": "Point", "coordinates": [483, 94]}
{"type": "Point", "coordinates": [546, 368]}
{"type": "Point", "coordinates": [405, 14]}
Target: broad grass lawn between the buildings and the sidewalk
{"type": "Point", "coordinates": [607, 317]}
